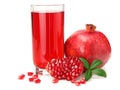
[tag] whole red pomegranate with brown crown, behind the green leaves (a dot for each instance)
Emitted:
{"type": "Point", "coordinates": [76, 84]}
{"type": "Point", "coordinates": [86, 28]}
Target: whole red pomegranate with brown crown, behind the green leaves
{"type": "Point", "coordinates": [89, 44]}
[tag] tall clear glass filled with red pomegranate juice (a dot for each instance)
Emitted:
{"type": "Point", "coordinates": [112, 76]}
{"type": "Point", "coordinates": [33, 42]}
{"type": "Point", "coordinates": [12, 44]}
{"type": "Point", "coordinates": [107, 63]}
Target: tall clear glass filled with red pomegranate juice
{"type": "Point", "coordinates": [47, 34]}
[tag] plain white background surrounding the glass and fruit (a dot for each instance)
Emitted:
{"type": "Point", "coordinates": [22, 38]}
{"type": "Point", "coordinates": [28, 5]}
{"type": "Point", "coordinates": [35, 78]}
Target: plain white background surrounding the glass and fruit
{"type": "Point", "coordinates": [16, 44]}
